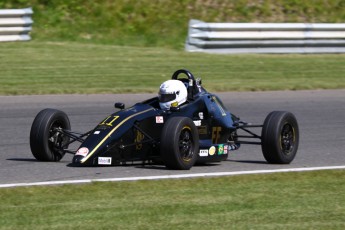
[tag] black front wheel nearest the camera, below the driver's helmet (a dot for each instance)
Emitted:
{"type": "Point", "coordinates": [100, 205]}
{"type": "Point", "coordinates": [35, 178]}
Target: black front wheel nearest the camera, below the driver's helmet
{"type": "Point", "coordinates": [179, 145]}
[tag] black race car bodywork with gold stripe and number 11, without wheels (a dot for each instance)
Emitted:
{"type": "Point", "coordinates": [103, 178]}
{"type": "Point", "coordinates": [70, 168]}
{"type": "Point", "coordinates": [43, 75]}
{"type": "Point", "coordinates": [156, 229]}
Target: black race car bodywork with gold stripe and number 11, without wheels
{"type": "Point", "coordinates": [133, 134]}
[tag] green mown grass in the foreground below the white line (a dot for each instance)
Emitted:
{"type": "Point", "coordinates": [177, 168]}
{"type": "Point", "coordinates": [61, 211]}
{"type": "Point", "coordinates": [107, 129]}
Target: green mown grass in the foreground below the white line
{"type": "Point", "coordinates": [310, 200]}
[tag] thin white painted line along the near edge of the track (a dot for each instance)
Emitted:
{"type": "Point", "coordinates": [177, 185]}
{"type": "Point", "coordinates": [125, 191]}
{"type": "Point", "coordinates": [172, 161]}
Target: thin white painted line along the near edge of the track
{"type": "Point", "coordinates": [215, 174]}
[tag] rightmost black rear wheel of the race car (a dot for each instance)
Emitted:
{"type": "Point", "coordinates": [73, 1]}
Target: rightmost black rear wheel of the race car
{"type": "Point", "coordinates": [280, 137]}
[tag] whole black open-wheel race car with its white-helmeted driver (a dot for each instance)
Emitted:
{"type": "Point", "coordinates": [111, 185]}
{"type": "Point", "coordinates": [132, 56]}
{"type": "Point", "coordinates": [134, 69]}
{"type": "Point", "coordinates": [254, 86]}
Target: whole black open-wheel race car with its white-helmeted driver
{"type": "Point", "coordinates": [182, 126]}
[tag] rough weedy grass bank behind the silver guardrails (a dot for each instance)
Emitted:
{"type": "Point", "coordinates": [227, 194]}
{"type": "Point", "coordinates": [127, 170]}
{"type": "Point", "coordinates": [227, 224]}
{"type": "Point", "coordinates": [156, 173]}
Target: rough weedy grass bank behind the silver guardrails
{"type": "Point", "coordinates": [161, 23]}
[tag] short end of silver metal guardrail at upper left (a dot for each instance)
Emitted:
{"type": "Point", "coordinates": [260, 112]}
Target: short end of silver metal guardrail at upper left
{"type": "Point", "coordinates": [15, 24]}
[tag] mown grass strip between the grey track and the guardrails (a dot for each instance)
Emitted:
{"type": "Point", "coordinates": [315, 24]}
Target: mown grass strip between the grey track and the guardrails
{"type": "Point", "coordinates": [67, 67]}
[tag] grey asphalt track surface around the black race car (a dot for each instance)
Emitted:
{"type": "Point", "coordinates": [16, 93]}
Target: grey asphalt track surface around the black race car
{"type": "Point", "coordinates": [320, 115]}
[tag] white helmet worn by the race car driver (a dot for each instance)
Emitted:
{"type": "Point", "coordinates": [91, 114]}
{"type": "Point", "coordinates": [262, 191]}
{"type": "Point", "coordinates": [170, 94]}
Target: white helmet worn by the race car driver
{"type": "Point", "coordinates": [172, 93]}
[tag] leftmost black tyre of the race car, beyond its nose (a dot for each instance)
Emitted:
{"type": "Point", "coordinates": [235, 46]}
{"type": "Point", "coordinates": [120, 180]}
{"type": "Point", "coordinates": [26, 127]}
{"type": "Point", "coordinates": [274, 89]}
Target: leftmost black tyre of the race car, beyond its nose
{"type": "Point", "coordinates": [46, 142]}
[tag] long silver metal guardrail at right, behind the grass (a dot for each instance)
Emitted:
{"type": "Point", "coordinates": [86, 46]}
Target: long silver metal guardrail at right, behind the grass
{"type": "Point", "coordinates": [265, 37]}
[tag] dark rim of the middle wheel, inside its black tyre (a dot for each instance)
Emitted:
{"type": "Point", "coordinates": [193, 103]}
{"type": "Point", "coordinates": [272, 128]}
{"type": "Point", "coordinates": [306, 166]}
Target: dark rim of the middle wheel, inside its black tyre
{"type": "Point", "coordinates": [186, 146]}
